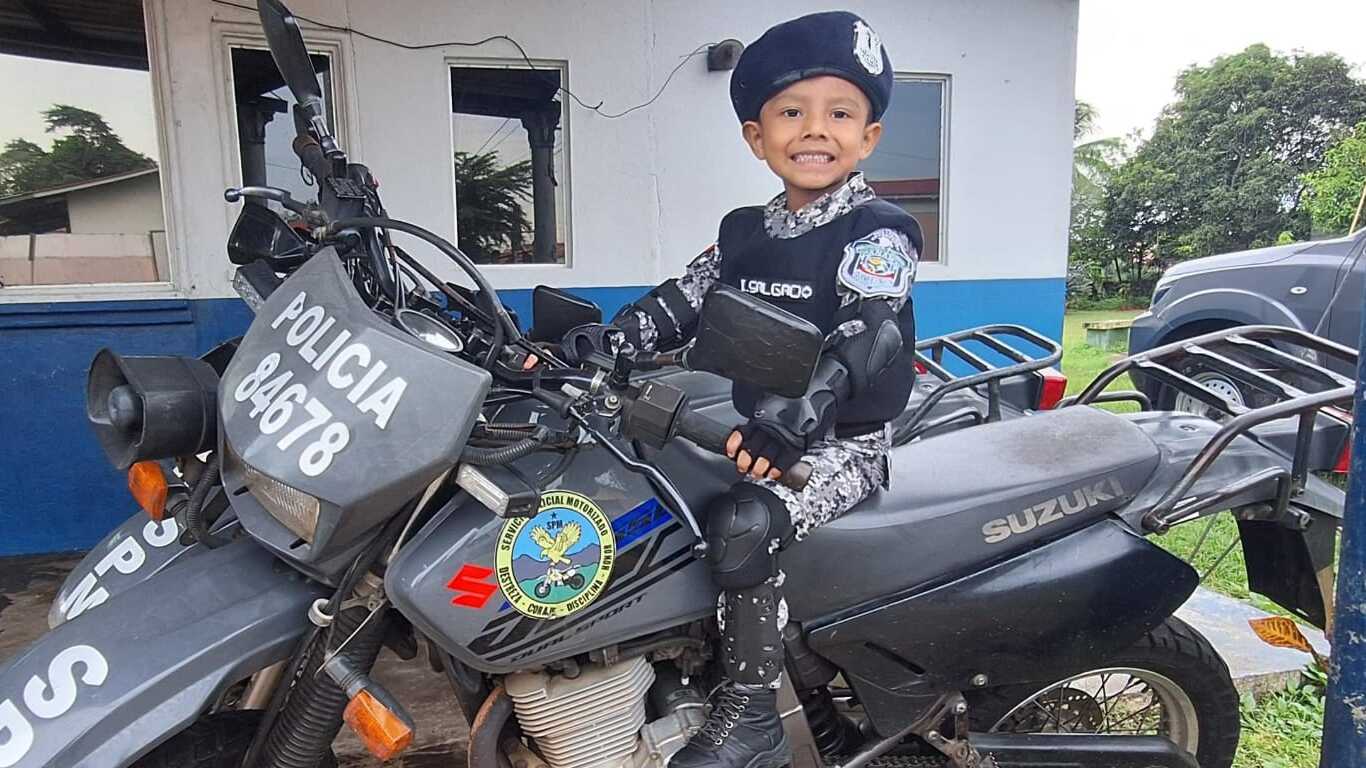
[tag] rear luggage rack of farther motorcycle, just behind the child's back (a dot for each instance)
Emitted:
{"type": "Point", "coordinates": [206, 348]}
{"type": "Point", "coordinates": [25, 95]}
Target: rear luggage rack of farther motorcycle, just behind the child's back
{"type": "Point", "coordinates": [931, 357]}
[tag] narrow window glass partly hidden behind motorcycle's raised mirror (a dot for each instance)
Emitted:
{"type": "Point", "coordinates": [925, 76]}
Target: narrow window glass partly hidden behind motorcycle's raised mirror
{"type": "Point", "coordinates": [266, 124]}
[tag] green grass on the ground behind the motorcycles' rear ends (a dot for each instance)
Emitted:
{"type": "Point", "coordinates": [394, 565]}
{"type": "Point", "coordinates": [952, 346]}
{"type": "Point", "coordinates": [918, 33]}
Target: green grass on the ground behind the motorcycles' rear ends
{"type": "Point", "coordinates": [1283, 730]}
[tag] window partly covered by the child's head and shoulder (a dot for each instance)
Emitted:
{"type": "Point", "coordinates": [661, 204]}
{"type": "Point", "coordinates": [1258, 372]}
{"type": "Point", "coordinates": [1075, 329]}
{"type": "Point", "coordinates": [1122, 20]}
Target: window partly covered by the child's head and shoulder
{"type": "Point", "coordinates": [908, 167]}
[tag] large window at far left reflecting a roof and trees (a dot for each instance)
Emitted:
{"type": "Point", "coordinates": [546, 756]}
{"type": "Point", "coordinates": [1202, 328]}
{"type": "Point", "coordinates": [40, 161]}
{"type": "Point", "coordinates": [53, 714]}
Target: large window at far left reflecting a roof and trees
{"type": "Point", "coordinates": [80, 156]}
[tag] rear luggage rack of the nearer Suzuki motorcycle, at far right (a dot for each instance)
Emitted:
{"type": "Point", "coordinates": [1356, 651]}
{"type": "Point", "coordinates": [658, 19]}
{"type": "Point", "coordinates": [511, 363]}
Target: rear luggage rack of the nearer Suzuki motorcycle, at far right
{"type": "Point", "coordinates": [1316, 389]}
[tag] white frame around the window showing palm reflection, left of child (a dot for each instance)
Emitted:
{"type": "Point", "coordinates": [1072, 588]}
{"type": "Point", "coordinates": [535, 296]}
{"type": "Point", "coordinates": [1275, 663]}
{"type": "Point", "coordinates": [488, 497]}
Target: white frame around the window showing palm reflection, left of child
{"type": "Point", "coordinates": [516, 274]}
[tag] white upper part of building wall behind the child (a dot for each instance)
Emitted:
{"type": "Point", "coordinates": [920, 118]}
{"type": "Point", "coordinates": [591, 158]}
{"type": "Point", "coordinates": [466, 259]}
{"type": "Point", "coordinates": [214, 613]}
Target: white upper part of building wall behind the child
{"type": "Point", "coordinates": [647, 191]}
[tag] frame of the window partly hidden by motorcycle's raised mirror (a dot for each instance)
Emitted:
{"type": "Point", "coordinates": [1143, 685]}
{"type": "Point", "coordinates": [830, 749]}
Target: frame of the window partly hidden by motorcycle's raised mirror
{"type": "Point", "coordinates": [229, 36]}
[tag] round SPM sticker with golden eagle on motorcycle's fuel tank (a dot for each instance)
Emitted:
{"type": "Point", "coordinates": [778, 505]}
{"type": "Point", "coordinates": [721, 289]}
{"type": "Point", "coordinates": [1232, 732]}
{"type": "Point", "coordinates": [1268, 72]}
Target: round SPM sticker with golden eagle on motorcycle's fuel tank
{"type": "Point", "coordinates": [558, 562]}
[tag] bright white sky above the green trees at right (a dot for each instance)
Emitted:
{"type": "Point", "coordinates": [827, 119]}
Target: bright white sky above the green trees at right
{"type": "Point", "coordinates": [1129, 53]}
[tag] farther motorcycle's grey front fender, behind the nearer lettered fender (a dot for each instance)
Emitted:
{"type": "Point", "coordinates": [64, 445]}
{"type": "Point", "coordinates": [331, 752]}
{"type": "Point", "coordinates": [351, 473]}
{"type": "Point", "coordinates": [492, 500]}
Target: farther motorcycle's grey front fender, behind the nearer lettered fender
{"type": "Point", "coordinates": [133, 553]}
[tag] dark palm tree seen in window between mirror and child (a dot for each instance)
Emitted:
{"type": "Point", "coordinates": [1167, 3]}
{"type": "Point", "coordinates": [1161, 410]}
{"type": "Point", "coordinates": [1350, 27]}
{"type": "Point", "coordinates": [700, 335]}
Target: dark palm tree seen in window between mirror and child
{"type": "Point", "coordinates": [488, 206]}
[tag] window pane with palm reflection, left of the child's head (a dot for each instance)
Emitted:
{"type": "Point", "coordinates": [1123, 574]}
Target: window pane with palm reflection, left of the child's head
{"type": "Point", "coordinates": [512, 199]}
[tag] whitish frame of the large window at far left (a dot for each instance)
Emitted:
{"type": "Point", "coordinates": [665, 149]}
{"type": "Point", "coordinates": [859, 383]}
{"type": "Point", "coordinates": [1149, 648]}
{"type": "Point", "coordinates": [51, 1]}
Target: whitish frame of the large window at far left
{"type": "Point", "coordinates": [159, 72]}
